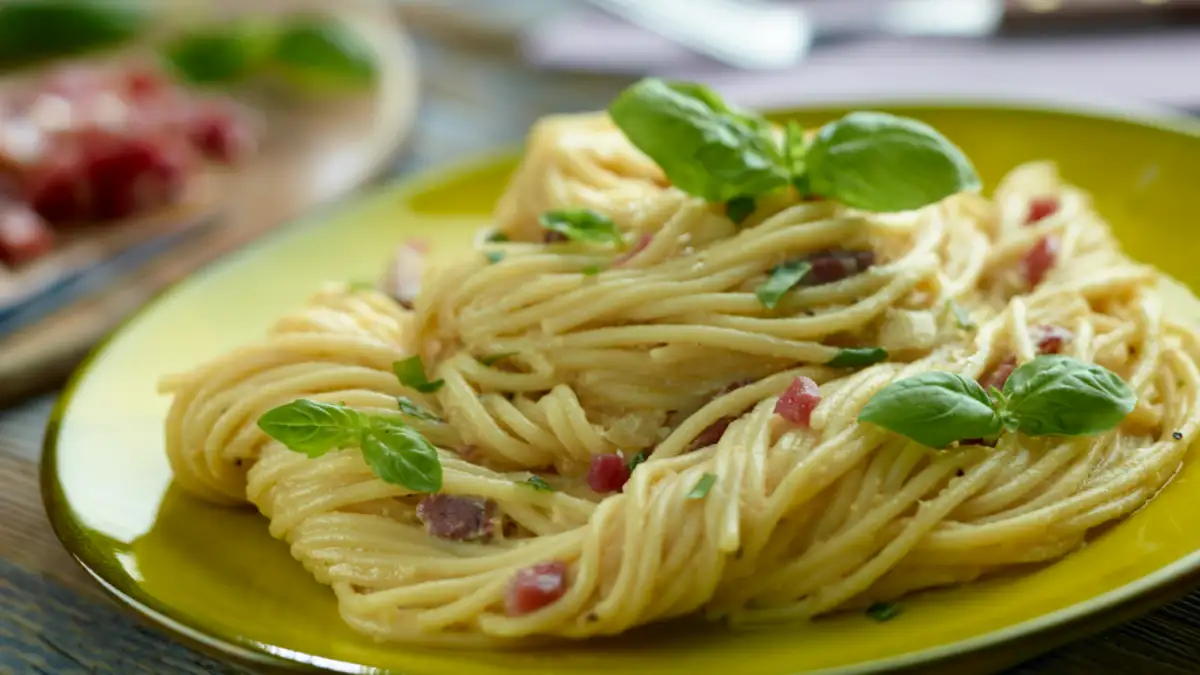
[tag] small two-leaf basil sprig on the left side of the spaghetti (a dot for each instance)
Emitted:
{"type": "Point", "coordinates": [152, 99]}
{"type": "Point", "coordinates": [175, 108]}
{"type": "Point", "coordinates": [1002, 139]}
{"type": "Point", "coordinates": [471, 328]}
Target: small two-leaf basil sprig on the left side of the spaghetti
{"type": "Point", "coordinates": [395, 452]}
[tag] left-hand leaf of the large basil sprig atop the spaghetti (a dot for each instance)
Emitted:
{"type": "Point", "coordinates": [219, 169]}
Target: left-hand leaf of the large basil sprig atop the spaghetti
{"type": "Point", "coordinates": [705, 147]}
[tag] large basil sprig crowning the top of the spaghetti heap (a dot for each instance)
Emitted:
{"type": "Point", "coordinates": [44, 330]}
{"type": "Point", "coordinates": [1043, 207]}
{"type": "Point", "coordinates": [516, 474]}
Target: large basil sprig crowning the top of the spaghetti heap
{"type": "Point", "coordinates": [867, 160]}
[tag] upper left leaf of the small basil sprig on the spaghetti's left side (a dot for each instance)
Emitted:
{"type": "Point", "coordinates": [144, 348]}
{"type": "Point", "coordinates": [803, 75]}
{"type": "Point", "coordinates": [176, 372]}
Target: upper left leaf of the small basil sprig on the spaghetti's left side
{"type": "Point", "coordinates": [313, 428]}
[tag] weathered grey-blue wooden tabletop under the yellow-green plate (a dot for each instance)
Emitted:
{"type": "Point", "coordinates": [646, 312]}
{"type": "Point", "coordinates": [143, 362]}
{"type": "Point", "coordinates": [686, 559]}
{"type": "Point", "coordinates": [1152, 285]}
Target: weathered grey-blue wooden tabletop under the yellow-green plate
{"type": "Point", "coordinates": [55, 620]}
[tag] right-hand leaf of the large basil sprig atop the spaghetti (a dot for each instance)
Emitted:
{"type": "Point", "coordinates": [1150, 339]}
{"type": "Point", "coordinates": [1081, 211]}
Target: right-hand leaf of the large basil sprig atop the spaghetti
{"type": "Point", "coordinates": [883, 163]}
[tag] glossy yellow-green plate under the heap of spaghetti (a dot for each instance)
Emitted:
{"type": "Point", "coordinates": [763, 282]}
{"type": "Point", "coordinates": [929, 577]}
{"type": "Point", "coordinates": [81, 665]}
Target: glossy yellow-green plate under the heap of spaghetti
{"type": "Point", "coordinates": [217, 578]}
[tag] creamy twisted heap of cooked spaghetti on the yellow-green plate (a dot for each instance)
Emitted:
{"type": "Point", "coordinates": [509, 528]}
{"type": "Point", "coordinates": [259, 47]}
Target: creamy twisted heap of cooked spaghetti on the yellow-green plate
{"type": "Point", "coordinates": [668, 353]}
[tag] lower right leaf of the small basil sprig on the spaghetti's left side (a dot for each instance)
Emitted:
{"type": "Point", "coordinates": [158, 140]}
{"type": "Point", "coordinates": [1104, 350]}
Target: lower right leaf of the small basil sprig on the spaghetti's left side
{"type": "Point", "coordinates": [400, 456]}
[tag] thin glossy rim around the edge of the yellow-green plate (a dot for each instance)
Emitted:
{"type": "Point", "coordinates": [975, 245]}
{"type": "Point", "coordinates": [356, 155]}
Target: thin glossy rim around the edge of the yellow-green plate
{"type": "Point", "coordinates": [1070, 623]}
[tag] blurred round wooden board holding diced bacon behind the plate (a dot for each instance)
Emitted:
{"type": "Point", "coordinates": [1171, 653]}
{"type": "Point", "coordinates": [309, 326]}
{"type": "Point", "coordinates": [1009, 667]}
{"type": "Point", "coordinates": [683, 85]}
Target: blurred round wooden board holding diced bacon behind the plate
{"type": "Point", "coordinates": [313, 154]}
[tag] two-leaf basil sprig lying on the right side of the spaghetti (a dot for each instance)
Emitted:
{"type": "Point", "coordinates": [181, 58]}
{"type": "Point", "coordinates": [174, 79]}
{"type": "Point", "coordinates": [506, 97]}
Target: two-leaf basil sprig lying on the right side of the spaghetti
{"type": "Point", "coordinates": [1051, 396]}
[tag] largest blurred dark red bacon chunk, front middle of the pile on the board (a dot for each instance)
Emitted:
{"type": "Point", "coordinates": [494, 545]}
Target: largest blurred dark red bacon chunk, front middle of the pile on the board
{"type": "Point", "coordinates": [131, 176]}
